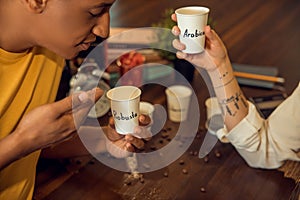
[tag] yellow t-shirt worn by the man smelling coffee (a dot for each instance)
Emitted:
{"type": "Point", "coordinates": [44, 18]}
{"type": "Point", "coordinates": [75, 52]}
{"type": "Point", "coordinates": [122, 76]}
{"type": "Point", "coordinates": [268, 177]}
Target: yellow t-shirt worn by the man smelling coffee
{"type": "Point", "coordinates": [27, 80]}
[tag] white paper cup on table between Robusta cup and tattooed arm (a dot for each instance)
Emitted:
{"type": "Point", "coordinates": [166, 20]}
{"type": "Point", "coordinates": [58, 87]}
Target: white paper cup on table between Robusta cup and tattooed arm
{"type": "Point", "coordinates": [178, 101]}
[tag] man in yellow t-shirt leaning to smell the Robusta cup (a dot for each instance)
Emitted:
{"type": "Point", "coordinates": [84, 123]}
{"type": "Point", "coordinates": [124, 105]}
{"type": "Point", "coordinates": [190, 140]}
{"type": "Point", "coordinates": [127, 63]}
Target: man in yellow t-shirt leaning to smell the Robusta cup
{"type": "Point", "coordinates": [36, 36]}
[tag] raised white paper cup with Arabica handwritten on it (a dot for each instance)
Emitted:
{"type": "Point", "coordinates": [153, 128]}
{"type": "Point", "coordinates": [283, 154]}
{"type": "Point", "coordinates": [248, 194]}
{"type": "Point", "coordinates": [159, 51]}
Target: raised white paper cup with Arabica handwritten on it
{"type": "Point", "coordinates": [191, 21]}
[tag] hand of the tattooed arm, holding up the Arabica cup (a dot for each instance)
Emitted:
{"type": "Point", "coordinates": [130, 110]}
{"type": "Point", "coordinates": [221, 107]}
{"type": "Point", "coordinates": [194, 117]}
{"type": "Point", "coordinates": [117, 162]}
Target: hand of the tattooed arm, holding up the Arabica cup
{"type": "Point", "coordinates": [215, 54]}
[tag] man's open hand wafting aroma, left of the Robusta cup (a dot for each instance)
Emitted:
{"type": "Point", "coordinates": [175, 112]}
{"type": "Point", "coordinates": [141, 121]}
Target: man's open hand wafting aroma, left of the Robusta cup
{"type": "Point", "coordinates": [56, 122]}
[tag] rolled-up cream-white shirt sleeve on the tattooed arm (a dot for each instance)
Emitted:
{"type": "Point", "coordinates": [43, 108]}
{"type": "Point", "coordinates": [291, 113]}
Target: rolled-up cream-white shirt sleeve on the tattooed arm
{"type": "Point", "coordinates": [267, 143]}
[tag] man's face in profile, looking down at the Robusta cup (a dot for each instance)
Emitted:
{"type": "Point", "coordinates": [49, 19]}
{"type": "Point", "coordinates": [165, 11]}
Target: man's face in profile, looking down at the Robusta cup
{"type": "Point", "coordinates": [70, 26]}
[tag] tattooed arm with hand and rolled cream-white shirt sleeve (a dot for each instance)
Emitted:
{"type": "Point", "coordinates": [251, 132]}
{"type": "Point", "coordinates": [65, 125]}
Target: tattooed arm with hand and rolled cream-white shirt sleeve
{"type": "Point", "coordinates": [262, 143]}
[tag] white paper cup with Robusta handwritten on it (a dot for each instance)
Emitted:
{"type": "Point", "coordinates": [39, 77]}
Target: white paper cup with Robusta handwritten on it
{"type": "Point", "coordinates": [125, 101]}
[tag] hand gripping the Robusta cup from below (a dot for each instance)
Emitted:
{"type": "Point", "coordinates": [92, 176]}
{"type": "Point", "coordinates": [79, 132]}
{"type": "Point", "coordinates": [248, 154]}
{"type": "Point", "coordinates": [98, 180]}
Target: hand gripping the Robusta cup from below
{"type": "Point", "coordinates": [121, 146]}
